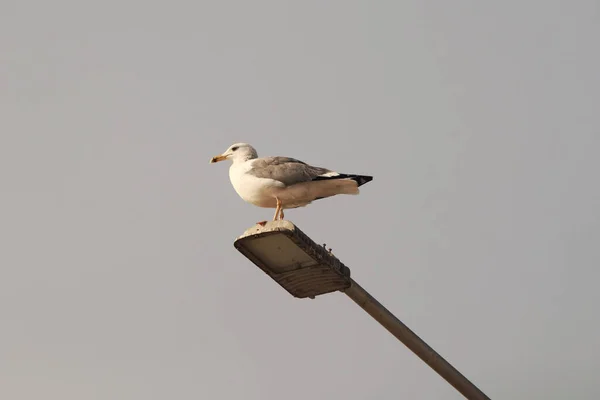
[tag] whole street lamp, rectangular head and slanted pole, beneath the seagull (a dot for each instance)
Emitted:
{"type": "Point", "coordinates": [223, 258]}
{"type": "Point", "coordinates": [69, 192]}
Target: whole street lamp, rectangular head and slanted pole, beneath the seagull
{"type": "Point", "coordinates": [305, 269]}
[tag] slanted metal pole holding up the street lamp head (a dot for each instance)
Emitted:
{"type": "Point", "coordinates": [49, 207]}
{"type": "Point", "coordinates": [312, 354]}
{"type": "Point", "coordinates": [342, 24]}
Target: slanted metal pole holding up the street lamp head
{"type": "Point", "coordinates": [413, 342]}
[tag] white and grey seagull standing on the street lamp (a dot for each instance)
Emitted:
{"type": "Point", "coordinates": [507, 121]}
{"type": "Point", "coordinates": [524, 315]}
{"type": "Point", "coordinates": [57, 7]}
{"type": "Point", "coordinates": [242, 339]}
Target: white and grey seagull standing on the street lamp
{"type": "Point", "coordinates": [283, 182]}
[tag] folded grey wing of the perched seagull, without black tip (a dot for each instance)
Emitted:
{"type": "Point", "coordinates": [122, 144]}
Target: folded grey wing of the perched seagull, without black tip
{"type": "Point", "coordinates": [286, 170]}
